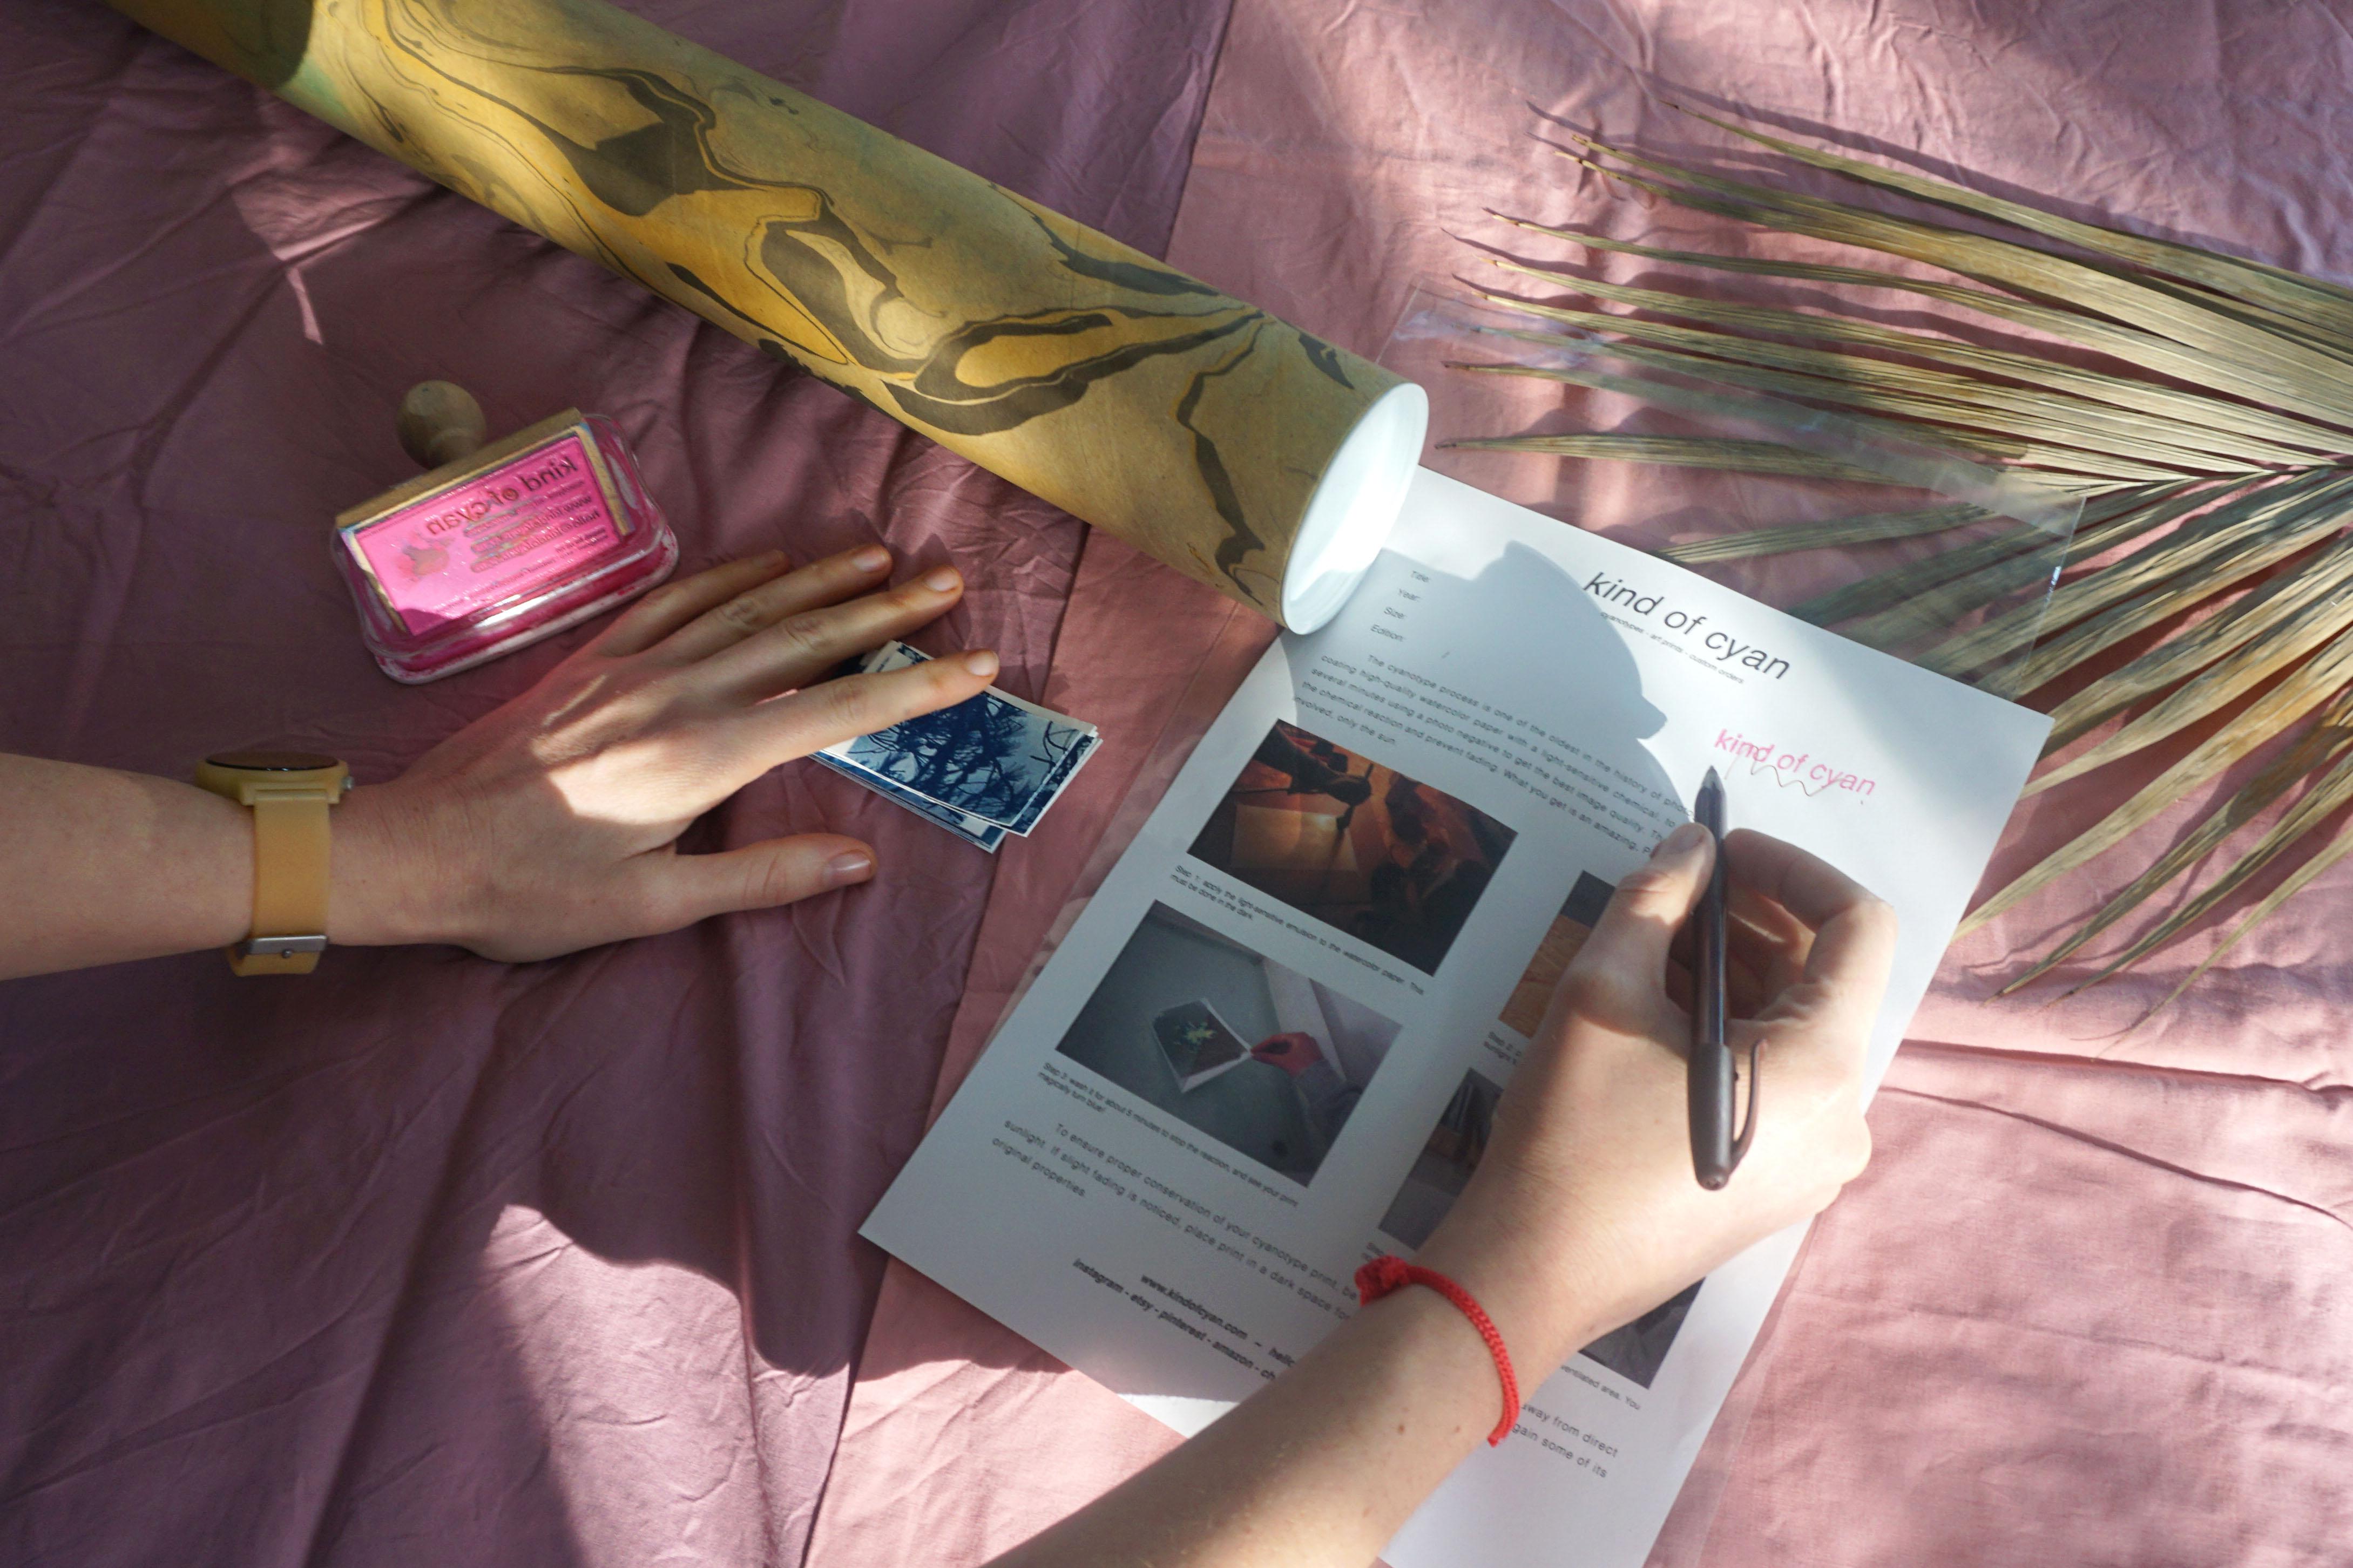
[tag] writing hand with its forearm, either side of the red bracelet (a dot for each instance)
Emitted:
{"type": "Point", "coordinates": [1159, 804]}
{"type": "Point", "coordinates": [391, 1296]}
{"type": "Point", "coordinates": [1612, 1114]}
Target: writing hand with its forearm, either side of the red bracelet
{"type": "Point", "coordinates": [1580, 1219]}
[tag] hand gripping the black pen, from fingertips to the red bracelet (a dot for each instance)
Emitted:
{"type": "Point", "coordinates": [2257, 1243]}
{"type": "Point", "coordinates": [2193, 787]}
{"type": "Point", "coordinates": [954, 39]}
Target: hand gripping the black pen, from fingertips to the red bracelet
{"type": "Point", "coordinates": [1585, 1212]}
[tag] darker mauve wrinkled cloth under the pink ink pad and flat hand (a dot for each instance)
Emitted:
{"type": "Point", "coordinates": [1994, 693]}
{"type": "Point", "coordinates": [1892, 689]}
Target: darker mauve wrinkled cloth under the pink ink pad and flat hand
{"type": "Point", "coordinates": [427, 1257]}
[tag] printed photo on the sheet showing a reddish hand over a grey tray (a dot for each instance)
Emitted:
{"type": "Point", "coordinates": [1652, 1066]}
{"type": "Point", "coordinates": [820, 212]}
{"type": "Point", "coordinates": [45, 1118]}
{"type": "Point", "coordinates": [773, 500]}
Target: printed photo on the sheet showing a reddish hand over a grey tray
{"type": "Point", "coordinates": [1229, 1043]}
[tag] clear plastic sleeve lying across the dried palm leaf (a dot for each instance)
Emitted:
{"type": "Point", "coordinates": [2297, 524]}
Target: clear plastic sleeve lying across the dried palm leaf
{"type": "Point", "coordinates": [1853, 523]}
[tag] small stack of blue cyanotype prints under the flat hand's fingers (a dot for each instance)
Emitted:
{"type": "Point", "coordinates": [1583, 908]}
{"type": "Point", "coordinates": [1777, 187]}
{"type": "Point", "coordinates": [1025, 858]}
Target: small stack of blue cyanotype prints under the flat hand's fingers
{"type": "Point", "coordinates": [980, 770]}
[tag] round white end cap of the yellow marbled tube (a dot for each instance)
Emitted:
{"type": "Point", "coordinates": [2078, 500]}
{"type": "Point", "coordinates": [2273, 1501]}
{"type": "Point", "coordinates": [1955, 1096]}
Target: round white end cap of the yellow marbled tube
{"type": "Point", "coordinates": [1354, 507]}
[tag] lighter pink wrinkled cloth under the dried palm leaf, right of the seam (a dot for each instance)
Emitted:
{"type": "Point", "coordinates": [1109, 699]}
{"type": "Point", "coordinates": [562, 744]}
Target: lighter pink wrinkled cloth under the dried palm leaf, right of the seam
{"type": "Point", "coordinates": [2086, 1304]}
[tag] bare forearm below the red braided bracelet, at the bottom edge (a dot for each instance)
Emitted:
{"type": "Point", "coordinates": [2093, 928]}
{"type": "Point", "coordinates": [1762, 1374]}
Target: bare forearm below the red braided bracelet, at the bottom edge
{"type": "Point", "coordinates": [1317, 1470]}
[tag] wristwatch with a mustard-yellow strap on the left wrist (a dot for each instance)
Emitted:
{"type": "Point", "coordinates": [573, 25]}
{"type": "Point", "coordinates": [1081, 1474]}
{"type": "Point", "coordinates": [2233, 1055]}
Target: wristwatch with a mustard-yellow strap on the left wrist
{"type": "Point", "coordinates": [291, 796]}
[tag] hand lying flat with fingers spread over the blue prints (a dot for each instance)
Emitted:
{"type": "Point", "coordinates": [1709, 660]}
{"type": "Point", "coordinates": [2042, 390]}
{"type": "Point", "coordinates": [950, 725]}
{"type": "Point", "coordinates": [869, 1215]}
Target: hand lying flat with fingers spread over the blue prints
{"type": "Point", "coordinates": [552, 824]}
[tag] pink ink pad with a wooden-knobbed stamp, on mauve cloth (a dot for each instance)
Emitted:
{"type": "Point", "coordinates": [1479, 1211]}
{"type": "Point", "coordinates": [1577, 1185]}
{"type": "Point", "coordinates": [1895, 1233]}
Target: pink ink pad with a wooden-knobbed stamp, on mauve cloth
{"type": "Point", "coordinates": [502, 547]}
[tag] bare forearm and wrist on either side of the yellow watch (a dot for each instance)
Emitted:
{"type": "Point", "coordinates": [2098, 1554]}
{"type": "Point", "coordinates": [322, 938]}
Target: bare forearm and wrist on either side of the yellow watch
{"type": "Point", "coordinates": [107, 866]}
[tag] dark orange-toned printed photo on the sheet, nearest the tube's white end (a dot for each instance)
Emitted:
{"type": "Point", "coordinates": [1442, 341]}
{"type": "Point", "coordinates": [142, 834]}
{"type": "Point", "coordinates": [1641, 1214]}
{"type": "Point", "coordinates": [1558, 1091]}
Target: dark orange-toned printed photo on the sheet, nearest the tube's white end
{"type": "Point", "coordinates": [1354, 845]}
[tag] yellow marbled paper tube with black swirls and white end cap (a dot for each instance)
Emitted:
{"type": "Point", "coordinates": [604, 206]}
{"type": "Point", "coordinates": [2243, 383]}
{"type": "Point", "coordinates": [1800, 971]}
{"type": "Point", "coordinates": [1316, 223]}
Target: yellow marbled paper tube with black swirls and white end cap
{"type": "Point", "coordinates": [1206, 431]}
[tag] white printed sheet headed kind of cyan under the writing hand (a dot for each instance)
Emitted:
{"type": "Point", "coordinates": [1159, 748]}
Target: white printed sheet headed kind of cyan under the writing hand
{"type": "Point", "coordinates": [1538, 685]}
